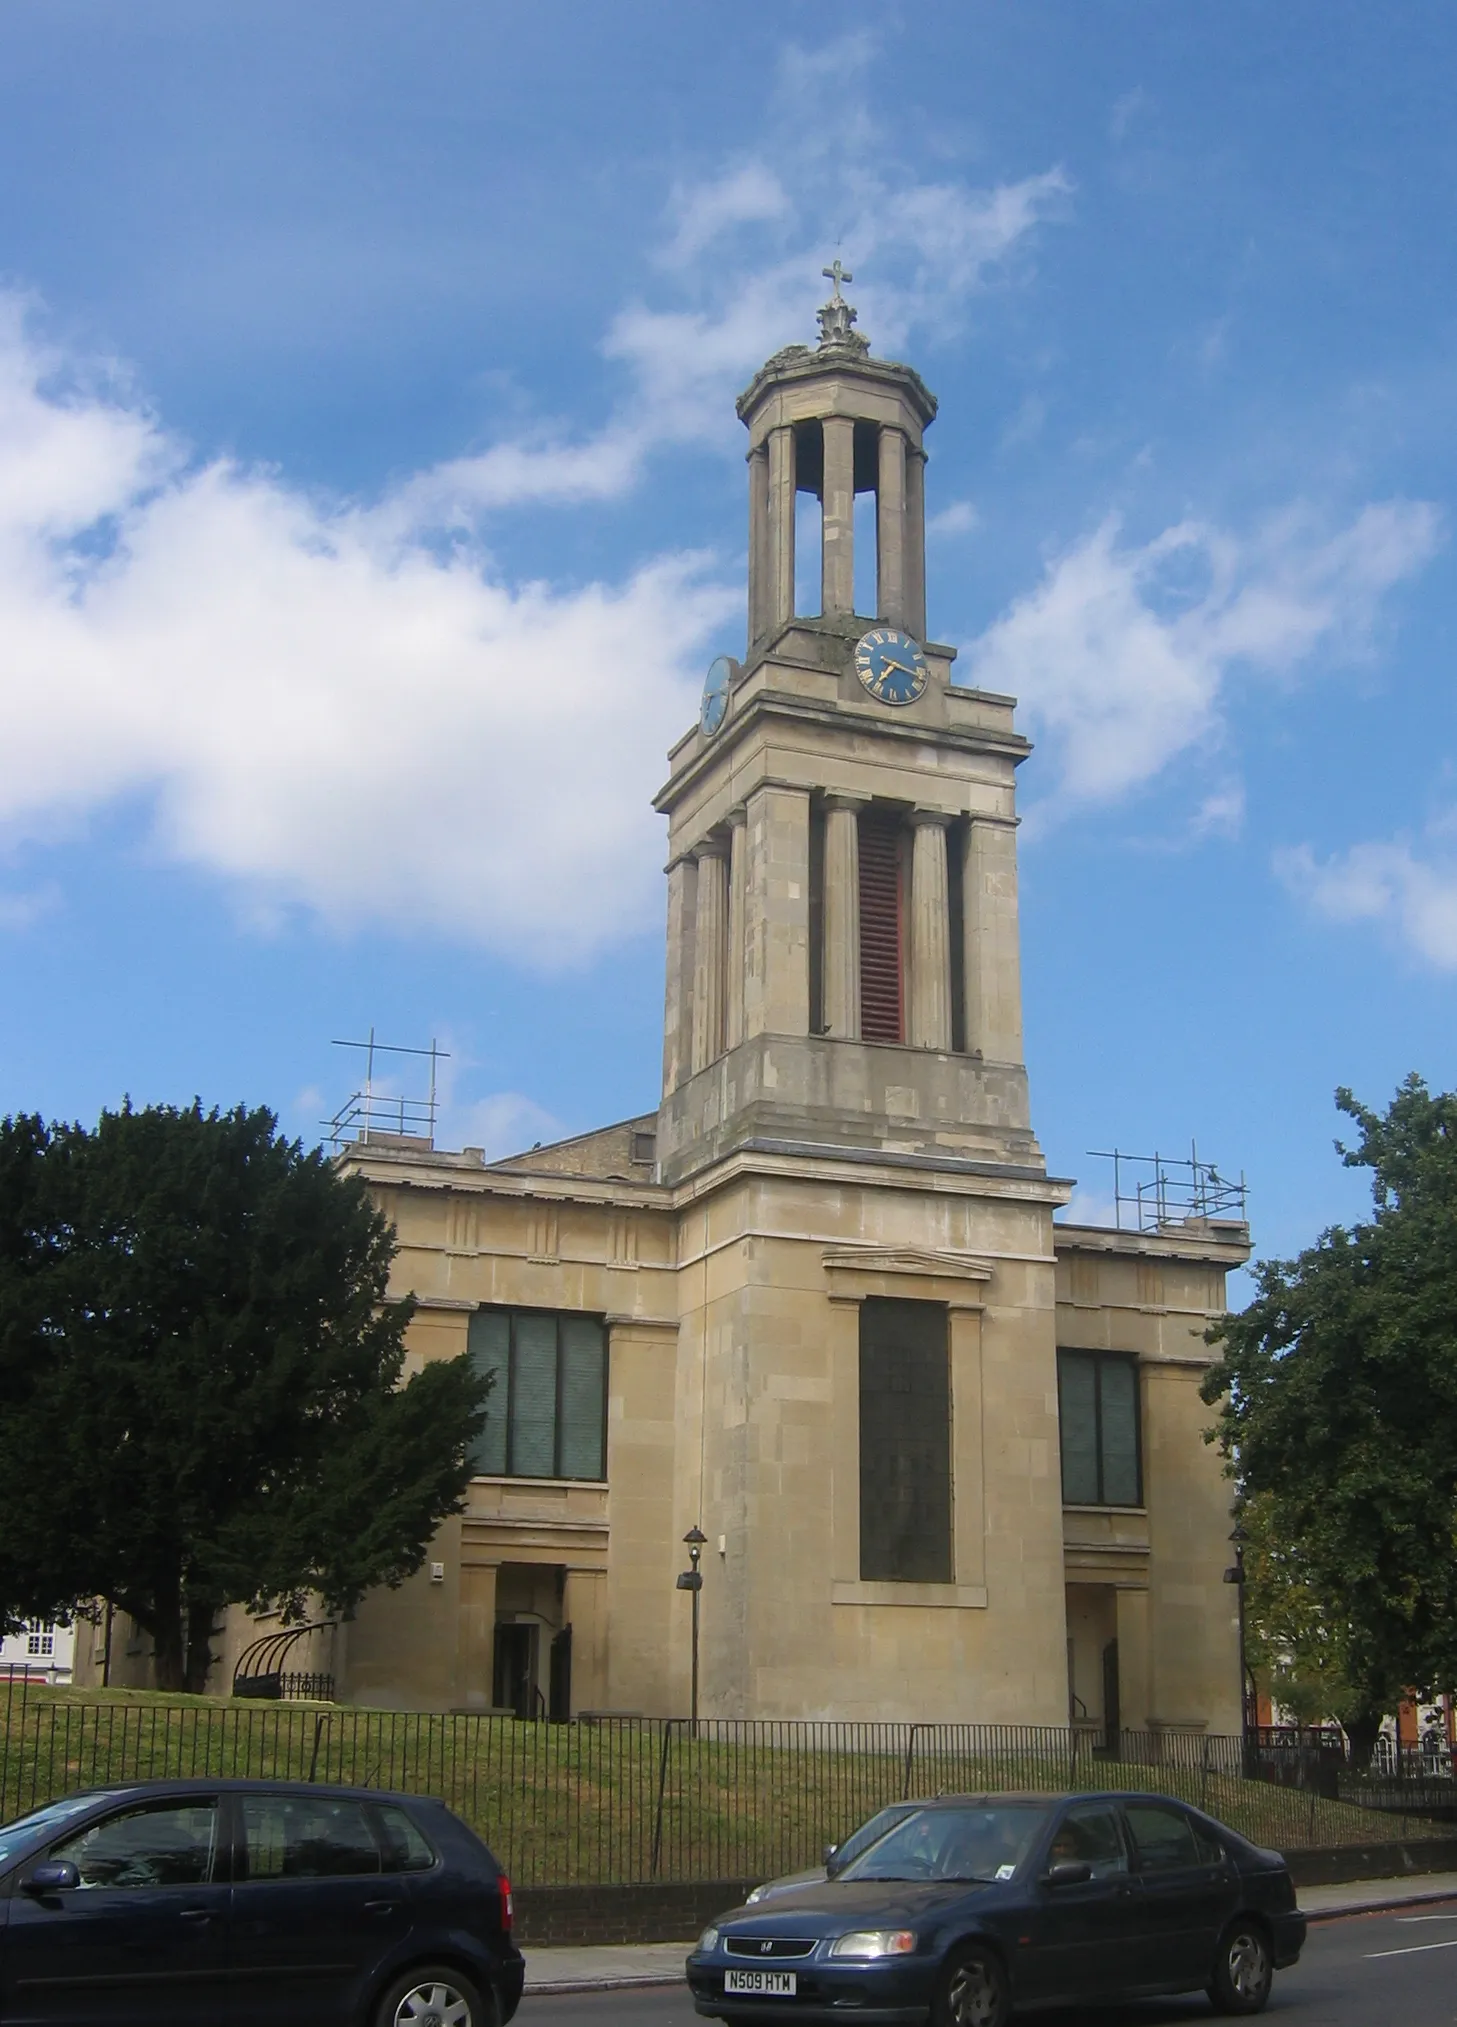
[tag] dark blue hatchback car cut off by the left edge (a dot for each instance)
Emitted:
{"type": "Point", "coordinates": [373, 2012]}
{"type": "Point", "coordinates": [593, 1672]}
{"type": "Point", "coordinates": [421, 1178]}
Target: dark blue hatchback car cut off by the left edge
{"type": "Point", "coordinates": [242, 1902]}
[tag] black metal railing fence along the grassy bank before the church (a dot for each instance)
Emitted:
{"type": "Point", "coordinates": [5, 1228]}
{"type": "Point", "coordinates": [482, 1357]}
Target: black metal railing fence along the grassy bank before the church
{"type": "Point", "coordinates": [635, 1799]}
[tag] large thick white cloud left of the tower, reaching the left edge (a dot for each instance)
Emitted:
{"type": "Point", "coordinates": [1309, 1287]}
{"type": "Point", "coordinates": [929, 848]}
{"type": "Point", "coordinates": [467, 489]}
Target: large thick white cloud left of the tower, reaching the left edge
{"type": "Point", "coordinates": [323, 706]}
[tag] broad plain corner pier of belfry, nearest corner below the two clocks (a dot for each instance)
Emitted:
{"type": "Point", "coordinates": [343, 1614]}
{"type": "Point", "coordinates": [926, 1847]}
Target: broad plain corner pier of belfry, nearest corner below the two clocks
{"type": "Point", "coordinates": [777, 913]}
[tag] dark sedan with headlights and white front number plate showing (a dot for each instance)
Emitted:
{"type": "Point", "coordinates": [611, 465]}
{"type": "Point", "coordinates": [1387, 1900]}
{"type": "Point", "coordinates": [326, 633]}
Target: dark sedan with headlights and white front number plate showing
{"type": "Point", "coordinates": [980, 1906]}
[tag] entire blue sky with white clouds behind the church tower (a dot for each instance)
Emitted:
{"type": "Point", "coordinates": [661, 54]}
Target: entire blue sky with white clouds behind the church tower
{"type": "Point", "coordinates": [372, 504]}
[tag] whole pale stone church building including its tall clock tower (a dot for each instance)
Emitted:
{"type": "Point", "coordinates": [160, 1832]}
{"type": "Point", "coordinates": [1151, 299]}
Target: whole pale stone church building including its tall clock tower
{"type": "Point", "coordinates": [945, 1454]}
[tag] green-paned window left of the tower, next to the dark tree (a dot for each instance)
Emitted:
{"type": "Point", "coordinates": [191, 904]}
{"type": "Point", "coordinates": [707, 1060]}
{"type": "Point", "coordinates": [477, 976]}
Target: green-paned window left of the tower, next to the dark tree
{"type": "Point", "coordinates": [546, 1416]}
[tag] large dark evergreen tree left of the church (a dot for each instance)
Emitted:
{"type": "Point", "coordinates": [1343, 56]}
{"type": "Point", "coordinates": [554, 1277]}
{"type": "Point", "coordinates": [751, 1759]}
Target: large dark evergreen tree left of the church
{"type": "Point", "coordinates": [202, 1385]}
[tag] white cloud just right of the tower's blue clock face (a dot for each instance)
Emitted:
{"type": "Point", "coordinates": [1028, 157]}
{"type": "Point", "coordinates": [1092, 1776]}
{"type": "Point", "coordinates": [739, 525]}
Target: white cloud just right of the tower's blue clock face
{"type": "Point", "coordinates": [1124, 656]}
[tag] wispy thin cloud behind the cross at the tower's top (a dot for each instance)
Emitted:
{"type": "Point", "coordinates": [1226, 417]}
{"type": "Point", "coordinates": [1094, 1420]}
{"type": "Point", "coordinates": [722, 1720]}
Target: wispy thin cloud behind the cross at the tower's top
{"type": "Point", "coordinates": [919, 250]}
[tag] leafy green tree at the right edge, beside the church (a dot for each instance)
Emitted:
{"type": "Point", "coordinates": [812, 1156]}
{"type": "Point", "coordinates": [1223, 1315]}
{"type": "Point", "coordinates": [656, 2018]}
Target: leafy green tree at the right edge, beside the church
{"type": "Point", "coordinates": [1338, 1394]}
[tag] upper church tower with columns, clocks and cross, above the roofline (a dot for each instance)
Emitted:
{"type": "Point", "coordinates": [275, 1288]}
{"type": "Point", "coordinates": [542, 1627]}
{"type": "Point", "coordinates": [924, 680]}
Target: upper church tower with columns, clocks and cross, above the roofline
{"type": "Point", "coordinates": [844, 962]}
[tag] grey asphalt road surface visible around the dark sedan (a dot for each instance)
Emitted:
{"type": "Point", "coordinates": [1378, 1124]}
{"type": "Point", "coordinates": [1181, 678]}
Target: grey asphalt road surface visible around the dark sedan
{"type": "Point", "coordinates": [1357, 1973]}
